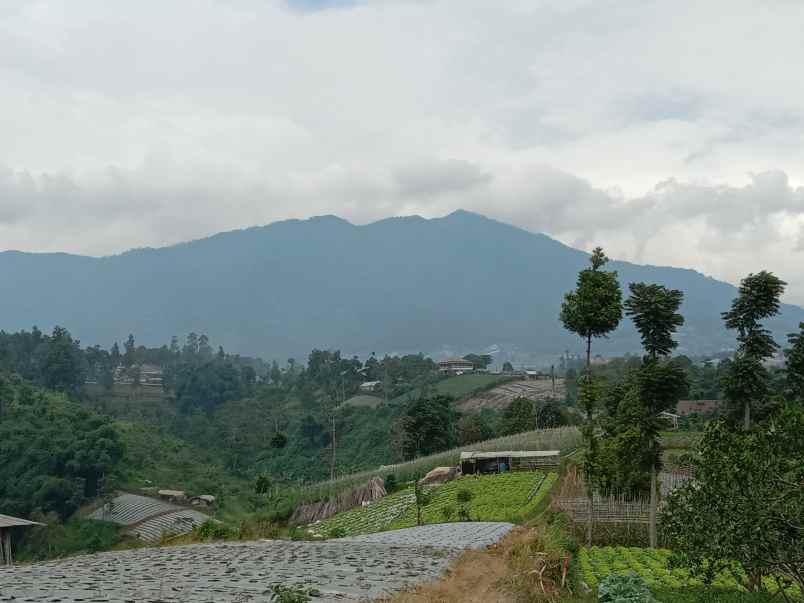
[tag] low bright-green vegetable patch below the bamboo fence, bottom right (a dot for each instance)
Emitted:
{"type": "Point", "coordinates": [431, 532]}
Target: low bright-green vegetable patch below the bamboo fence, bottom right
{"type": "Point", "coordinates": [651, 564]}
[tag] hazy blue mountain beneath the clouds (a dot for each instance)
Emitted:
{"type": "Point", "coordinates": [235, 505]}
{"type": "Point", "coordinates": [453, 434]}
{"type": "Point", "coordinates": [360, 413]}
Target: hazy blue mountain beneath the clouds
{"type": "Point", "coordinates": [454, 284]}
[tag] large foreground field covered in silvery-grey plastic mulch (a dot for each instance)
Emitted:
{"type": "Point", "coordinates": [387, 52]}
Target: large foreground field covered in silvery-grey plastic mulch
{"type": "Point", "coordinates": [361, 569]}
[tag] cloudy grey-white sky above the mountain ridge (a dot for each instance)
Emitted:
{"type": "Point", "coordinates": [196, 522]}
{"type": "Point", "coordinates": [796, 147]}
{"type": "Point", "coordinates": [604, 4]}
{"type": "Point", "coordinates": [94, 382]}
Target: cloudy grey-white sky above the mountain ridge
{"type": "Point", "coordinates": [668, 132]}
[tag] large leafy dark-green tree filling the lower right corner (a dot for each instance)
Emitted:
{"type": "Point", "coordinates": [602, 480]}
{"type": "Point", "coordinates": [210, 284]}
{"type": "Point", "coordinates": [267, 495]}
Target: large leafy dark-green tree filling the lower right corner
{"type": "Point", "coordinates": [745, 504]}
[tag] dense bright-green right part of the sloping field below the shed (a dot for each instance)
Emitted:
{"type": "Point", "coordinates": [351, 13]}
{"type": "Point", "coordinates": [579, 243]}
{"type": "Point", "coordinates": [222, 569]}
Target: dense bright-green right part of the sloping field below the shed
{"type": "Point", "coordinates": [502, 497]}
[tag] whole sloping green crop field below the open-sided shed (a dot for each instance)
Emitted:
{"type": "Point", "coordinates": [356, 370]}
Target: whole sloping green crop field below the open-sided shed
{"type": "Point", "coordinates": [507, 497]}
